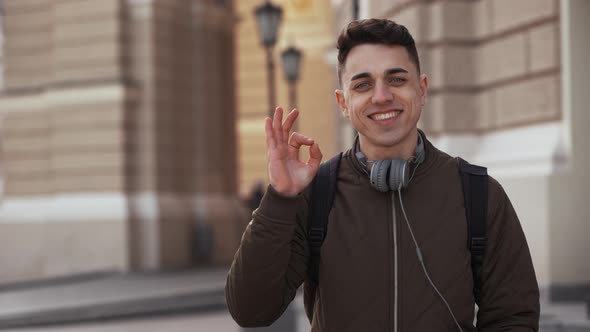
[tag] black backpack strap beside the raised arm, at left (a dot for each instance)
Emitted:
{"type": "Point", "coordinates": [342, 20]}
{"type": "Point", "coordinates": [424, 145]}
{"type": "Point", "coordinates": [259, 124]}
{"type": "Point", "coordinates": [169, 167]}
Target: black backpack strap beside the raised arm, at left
{"type": "Point", "coordinates": [323, 189]}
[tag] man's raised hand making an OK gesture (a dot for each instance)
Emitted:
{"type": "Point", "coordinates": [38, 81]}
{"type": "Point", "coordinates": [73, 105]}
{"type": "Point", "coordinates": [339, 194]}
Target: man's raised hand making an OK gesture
{"type": "Point", "coordinates": [289, 175]}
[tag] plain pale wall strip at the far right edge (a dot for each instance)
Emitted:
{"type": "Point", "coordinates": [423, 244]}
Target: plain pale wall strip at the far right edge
{"type": "Point", "coordinates": [569, 189]}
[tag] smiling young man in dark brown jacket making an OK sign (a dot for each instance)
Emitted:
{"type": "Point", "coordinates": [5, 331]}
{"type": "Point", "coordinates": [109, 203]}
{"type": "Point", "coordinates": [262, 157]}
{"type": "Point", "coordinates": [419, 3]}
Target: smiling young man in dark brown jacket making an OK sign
{"type": "Point", "coordinates": [395, 256]}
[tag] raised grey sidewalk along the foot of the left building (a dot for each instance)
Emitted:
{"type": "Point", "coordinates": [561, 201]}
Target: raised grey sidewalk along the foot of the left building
{"type": "Point", "coordinates": [113, 295]}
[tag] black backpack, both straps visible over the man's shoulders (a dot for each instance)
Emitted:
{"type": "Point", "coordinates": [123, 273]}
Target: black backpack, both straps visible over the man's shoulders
{"type": "Point", "coordinates": [475, 192]}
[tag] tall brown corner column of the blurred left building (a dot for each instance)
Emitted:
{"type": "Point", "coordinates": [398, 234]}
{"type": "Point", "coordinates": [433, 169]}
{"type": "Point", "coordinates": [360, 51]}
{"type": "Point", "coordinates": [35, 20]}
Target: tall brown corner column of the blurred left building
{"type": "Point", "coordinates": [183, 170]}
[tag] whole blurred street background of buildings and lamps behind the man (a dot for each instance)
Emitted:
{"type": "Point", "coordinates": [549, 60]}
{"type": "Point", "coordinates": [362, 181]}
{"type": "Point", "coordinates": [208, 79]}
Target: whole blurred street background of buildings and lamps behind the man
{"type": "Point", "coordinates": [133, 151]}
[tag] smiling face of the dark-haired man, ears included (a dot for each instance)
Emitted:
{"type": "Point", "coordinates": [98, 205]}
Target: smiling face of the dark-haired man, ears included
{"type": "Point", "coordinates": [382, 95]}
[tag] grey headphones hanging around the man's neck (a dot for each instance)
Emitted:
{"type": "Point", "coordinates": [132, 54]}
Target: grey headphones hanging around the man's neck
{"type": "Point", "coordinates": [392, 174]}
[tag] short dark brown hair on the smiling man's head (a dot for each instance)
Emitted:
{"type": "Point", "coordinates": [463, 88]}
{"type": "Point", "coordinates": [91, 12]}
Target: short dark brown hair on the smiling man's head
{"type": "Point", "coordinates": [374, 31]}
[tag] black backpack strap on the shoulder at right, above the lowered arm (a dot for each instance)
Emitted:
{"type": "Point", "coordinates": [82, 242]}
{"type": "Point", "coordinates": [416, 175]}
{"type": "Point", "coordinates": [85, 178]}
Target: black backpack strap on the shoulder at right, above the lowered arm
{"type": "Point", "coordinates": [475, 194]}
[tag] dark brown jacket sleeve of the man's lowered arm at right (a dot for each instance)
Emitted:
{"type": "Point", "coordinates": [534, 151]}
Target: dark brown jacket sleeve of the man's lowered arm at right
{"type": "Point", "coordinates": [510, 295]}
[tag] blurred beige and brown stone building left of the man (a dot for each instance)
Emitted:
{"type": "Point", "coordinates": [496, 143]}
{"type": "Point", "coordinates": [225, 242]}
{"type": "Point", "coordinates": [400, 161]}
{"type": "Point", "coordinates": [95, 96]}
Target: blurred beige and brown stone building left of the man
{"type": "Point", "coordinates": [118, 136]}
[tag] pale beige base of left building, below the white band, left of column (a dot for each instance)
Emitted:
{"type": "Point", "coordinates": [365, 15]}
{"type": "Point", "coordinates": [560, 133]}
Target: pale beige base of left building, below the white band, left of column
{"type": "Point", "coordinates": [66, 247]}
